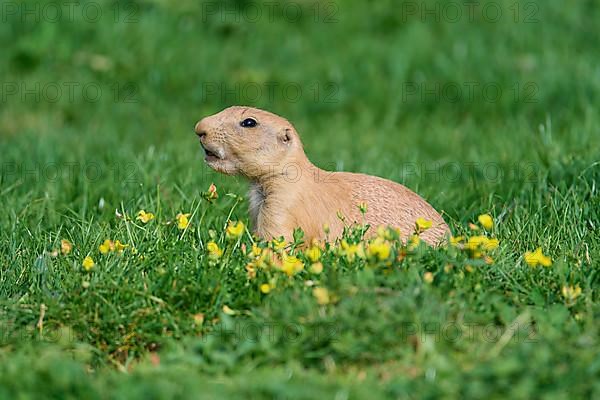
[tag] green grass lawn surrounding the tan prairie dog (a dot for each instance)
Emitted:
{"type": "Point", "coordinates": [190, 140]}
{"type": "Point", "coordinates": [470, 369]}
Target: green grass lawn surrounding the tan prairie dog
{"type": "Point", "coordinates": [127, 328]}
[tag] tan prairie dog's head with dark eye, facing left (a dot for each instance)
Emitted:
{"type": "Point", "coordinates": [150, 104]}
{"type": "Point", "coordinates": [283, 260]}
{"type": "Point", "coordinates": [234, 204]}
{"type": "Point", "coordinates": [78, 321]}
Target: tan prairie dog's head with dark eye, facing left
{"type": "Point", "coordinates": [247, 140]}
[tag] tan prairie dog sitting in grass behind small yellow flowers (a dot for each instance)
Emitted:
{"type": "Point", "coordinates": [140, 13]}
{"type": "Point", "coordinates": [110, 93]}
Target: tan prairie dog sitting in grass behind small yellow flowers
{"type": "Point", "coordinates": [287, 191]}
